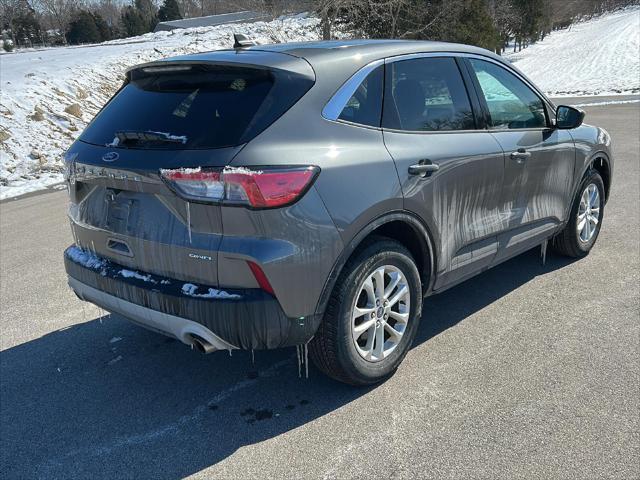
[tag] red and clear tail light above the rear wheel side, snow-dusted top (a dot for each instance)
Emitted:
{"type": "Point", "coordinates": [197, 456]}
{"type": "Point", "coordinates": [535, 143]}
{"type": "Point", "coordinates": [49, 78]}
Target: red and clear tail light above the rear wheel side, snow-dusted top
{"type": "Point", "coordinates": [266, 188]}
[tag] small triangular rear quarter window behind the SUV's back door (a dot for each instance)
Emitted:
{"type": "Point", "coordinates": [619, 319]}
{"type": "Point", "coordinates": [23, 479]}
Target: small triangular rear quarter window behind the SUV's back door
{"type": "Point", "coordinates": [365, 105]}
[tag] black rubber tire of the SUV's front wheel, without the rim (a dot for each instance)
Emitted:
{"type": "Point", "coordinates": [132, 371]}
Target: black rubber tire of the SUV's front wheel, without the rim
{"type": "Point", "coordinates": [567, 242]}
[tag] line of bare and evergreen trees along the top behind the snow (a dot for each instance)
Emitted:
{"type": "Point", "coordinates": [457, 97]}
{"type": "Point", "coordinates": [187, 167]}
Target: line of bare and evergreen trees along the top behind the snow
{"type": "Point", "coordinates": [492, 24]}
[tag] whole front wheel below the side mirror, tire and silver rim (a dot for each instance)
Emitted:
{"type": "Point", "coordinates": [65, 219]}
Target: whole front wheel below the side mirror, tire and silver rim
{"type": "Point", "coordinates": [580, 234]}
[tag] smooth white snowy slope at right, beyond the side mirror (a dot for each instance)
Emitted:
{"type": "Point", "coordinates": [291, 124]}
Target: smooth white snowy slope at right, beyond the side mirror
{"type": "Point", "coordinates": [597, 57]}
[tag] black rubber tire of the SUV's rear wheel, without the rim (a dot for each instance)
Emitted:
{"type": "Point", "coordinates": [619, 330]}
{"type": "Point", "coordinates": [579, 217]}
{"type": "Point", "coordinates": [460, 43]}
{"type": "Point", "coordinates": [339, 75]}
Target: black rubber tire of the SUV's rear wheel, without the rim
{"type": "Point", "coordinates": [333, 349]}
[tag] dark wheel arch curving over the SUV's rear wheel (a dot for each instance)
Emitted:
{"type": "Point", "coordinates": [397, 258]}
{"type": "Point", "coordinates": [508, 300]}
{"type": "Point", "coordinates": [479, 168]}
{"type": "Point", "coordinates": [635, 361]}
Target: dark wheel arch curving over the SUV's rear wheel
{"type": "Point", "coordinates": [402, 226]}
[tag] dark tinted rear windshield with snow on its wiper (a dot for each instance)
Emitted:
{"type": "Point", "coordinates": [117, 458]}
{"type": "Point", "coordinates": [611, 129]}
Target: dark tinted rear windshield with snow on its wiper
{"type": "Point", "coordinates": [195, 107]}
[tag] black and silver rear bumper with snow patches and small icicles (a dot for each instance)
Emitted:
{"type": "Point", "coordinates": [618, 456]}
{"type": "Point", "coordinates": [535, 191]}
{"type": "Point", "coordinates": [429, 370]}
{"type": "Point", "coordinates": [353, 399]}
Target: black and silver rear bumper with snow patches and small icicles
{"type": "Point", "coordinates": [238, 318]}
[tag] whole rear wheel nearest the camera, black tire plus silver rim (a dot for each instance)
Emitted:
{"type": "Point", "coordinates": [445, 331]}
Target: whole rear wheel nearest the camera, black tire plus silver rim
{"type": "Point", "coordinates": [339, 348]}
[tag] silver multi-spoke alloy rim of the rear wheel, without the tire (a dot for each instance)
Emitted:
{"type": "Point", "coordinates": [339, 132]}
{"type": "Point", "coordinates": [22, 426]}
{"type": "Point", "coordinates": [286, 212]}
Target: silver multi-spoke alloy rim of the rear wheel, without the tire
{"type": "Point", "coordinates": [380, 313]}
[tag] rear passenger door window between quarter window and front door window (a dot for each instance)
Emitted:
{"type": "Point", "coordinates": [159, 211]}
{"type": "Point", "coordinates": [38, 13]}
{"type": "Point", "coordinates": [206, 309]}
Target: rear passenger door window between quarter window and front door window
{"type": "Point", "coordinates": [426, 94]}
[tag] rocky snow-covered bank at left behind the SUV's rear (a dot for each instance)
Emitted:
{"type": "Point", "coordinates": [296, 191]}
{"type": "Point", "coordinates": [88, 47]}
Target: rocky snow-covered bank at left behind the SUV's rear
{"type": "Point", "coordinates": [48, 96]}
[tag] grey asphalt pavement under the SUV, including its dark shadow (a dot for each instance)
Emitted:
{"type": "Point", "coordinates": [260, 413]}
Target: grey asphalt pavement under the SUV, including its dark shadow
{"type": "Point", "coordinates": [525, 371]}
